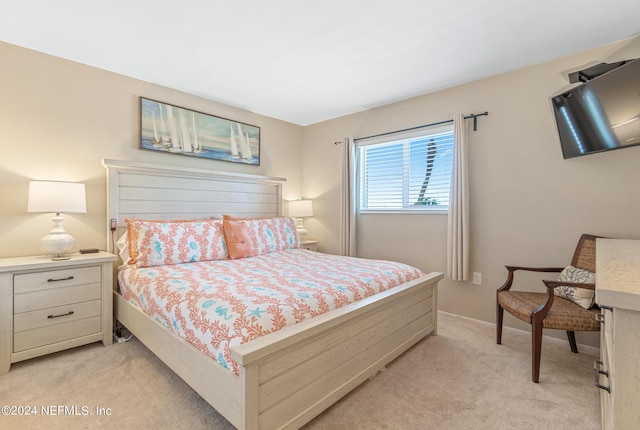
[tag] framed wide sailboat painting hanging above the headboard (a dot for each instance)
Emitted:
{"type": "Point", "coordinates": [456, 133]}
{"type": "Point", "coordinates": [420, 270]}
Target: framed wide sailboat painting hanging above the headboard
{"type": "Point", "coordinates": [176, 130]}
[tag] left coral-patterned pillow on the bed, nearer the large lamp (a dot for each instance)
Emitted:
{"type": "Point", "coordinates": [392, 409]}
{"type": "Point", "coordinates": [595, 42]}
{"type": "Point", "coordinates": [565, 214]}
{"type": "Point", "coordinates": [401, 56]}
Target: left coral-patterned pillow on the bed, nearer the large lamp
{"type": "Point", "coordinates": [156, 243]}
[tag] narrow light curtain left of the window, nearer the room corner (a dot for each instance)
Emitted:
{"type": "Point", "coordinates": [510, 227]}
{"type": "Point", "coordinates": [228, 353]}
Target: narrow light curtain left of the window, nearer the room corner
{"type": "Point", "coordinates": [348, 202]}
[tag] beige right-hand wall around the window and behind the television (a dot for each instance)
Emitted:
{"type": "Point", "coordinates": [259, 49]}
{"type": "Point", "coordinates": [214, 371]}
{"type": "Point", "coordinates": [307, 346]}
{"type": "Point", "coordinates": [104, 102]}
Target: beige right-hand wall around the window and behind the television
{"type": "Point", "coordinates": [528, 204]}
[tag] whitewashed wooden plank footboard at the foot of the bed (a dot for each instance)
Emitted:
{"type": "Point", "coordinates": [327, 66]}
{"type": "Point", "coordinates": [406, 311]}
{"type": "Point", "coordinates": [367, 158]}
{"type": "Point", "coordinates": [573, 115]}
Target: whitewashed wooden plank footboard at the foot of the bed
{"type": "Point", "coordinates": [291, 376]}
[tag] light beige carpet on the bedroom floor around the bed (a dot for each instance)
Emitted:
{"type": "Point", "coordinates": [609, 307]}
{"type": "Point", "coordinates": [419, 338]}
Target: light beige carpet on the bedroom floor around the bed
{"type": "Point", "coordinates": [459, 379]}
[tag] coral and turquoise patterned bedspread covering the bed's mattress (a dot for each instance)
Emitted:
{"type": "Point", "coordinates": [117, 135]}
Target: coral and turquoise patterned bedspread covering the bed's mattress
{"type": "Point", "coordinates": [216, 305]}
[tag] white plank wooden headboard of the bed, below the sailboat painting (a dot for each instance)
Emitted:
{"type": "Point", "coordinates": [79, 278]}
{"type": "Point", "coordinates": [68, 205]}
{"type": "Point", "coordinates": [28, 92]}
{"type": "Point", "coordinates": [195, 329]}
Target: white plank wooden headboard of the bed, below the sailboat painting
{"type": "Point", "coordinates": [147, 191]}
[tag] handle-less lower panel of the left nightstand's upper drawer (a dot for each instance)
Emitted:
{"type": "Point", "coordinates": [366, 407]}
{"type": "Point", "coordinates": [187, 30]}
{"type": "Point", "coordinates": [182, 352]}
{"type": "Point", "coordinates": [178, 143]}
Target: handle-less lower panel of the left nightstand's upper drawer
{"type": "Point", "coordinates": [44, 299]}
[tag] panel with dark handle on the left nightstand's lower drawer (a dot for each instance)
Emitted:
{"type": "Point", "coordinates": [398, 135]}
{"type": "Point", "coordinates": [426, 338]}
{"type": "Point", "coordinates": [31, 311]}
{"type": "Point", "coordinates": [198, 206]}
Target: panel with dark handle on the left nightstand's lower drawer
{"type": "Point", "coordinates": [56, 315]}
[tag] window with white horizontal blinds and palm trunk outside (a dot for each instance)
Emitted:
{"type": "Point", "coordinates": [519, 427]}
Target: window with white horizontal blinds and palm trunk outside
{"type": "Point", "coordinates": [408, 173]}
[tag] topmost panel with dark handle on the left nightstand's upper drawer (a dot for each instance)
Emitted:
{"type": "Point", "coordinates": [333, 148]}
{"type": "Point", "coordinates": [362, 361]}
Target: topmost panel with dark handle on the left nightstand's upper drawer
{"type": "Point", "coordinates": [28, 282]}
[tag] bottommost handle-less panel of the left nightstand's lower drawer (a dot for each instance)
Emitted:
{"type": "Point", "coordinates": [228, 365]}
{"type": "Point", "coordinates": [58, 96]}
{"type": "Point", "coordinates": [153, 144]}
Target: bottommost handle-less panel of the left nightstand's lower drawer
{"type": "Point", "coordinates": [56, 333]}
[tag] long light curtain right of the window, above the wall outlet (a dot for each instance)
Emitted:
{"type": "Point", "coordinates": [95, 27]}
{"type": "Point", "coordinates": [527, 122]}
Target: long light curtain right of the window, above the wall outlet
{"type": "Point", "coordinates": [458, 223]}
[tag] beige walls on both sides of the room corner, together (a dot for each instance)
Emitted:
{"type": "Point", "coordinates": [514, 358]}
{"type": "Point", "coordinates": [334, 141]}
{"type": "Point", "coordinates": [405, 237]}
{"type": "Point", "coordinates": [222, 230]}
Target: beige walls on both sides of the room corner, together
{"type": "Point", "coordinates": [58, 119]}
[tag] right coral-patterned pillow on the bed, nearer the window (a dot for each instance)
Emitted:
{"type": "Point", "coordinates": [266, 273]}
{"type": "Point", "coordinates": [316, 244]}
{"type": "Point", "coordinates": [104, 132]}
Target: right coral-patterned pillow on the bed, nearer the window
{"type": "Point", "coordinates": [251, 237]}
